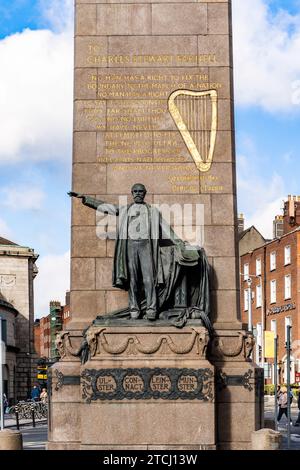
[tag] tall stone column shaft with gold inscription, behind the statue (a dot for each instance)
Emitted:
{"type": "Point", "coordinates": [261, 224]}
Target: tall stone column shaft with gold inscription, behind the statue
{"type": "Point", "coordinates": [129, 58]}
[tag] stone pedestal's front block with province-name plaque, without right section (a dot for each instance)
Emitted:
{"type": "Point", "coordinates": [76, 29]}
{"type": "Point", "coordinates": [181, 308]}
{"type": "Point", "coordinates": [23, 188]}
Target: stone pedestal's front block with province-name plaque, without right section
{"type": "Point", "coordinates": [142, 388]}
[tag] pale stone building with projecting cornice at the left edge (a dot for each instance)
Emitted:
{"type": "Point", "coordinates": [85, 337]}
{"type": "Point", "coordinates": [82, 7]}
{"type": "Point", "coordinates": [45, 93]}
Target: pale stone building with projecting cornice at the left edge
{"type": "Point", "coordinates": [17, 273]}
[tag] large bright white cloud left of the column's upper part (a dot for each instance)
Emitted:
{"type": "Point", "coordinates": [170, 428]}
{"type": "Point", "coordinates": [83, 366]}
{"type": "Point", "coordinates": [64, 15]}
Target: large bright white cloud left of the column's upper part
{"type": "Point", "coordinates": [36, 96]}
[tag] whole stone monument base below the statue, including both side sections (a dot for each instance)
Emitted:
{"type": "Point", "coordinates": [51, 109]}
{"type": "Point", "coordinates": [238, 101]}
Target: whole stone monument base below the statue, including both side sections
{"type": "Point", "coordinates": [154, 388]}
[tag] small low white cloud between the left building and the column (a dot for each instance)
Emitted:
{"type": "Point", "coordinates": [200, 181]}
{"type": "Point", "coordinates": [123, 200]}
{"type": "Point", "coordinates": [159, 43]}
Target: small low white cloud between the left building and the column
{"type": "Point", "coordinates": [52, 281]}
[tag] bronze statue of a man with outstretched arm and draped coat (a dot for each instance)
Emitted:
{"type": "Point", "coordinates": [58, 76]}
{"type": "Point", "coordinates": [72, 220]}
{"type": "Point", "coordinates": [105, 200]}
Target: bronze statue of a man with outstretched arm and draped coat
{"type": "Point", "coordinates": [160, 272]}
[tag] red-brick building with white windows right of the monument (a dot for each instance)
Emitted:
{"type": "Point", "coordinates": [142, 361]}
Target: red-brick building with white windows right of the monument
{"type": "Point", "coordinates": [274, 269]}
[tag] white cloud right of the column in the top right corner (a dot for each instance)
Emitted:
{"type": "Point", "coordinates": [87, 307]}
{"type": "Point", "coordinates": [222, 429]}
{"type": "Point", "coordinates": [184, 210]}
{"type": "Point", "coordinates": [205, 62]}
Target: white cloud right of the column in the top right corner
{"type": "Point", "coordinates": [266, 51]}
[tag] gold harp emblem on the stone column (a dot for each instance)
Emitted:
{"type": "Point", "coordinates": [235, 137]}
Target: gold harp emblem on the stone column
{"type": "Point", "coordinates": [195, 114]}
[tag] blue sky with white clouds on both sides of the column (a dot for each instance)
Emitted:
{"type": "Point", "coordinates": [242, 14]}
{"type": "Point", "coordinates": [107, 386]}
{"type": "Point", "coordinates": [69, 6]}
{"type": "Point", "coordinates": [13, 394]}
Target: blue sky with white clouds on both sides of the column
{"type": "Point", "coordinates": [36, 122]}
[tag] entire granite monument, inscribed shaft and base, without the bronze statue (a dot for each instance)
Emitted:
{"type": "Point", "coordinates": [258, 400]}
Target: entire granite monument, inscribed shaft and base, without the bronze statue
{"type": "Point", "coordinates": [153, 103]}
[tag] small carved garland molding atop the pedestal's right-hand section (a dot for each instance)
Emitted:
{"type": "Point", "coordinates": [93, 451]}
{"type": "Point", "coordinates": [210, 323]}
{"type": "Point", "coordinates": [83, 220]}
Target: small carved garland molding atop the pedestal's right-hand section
{"type": "Point", "coordinates": [236, 345]}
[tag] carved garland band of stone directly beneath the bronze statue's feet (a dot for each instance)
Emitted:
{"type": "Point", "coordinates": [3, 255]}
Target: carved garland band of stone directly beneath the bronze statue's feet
{"type": "Point", "coordinates": [105, 341]}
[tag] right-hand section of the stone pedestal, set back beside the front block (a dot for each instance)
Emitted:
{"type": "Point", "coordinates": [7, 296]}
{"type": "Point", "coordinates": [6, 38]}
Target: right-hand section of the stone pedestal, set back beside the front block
{"type": "Point", "coordinates": [239, 388]}
